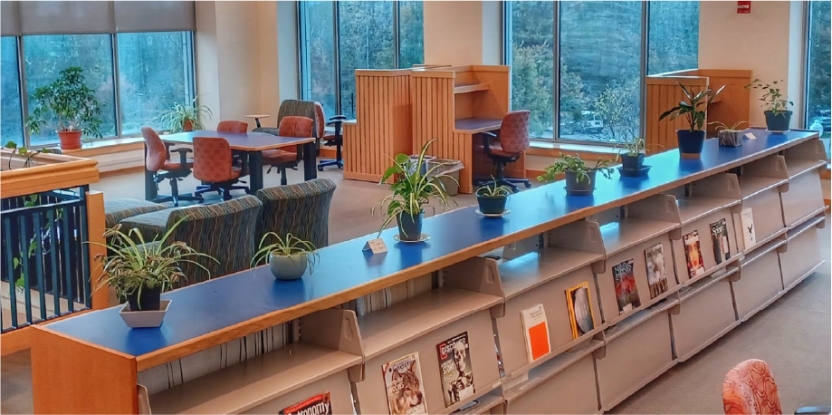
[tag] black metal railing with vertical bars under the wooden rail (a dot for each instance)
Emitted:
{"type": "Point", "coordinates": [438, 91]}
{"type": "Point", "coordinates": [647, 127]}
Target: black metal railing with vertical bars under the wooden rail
{"type": "Point", "coordinates": [45, 269]}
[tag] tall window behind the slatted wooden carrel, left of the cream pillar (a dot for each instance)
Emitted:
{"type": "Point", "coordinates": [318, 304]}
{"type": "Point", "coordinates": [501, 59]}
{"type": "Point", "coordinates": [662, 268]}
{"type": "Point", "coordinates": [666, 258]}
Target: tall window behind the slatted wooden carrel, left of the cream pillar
{"type": "Point", "coordinates": [354, 35]}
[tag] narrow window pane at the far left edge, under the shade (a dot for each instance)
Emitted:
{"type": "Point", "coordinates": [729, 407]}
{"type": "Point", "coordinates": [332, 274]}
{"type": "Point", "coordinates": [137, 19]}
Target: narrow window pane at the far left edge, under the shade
{"type": "Point", "coordinates": [12, 125]}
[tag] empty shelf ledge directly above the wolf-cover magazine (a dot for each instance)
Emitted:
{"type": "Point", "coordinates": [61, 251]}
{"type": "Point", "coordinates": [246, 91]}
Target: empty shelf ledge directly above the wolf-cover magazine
{"type": "Point", "coordinates": [388, 328]}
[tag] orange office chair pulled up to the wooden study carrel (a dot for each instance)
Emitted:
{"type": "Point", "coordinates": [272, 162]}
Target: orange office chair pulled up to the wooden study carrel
{"type": "Point", "coordinates": [508, 145]}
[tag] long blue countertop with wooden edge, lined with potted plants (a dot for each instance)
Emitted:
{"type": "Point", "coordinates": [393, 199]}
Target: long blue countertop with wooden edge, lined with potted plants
{"type": "Point", "coordinates": [204, 308]}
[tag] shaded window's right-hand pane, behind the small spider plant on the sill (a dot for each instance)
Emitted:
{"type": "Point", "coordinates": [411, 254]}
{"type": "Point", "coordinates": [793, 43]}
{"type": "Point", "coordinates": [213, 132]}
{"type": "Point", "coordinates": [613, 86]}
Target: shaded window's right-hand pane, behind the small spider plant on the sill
{"type": "Point", "coordinates": [155, 71]}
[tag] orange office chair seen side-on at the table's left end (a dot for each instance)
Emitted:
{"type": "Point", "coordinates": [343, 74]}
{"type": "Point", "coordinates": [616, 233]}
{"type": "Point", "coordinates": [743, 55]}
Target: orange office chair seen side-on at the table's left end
{"type": "Point", "coordinates": [157, 160]}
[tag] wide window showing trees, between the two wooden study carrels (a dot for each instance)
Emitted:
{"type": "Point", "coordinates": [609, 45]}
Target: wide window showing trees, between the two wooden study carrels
{"type": "Point", "coordinates": [594, 93]}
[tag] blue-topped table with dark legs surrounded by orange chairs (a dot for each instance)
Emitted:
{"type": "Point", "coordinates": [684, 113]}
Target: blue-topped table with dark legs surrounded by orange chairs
{"type": "Point", "coordinates": [253, 145]}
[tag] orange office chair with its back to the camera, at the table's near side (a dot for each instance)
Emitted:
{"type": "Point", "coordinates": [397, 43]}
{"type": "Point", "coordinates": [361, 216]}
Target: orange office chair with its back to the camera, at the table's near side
{"type": "Point", "coordinates": [213, 164]}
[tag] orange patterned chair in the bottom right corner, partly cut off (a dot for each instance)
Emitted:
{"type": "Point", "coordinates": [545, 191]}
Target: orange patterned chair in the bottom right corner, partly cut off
{"type": "Point", "coordinates": [749, 388]}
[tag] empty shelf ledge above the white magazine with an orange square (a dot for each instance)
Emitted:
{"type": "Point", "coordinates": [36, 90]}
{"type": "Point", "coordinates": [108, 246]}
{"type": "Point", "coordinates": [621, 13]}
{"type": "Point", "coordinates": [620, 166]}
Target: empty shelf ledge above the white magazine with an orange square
{"type": "Point", "coordinates": [531, 270]}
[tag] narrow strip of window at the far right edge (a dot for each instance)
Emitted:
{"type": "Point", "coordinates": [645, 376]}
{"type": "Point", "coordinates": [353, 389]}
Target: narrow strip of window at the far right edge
{"type": "Point", "coordinates": [818, 75]}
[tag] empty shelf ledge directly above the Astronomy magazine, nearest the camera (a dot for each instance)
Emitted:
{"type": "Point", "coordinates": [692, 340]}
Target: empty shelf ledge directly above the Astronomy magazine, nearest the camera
{"type": "Point", "coordinates": [253, 382]}
